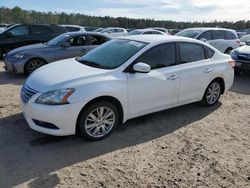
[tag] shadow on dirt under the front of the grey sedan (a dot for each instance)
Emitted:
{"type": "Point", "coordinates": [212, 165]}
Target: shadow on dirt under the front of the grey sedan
{"type": "Point", "coordinates": [9, 78]}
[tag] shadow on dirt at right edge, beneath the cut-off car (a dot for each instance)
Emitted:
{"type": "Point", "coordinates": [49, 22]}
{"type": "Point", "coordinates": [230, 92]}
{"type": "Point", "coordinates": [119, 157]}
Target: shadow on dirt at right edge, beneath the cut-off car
{"type": "Point", "coordinates": [241, 84]}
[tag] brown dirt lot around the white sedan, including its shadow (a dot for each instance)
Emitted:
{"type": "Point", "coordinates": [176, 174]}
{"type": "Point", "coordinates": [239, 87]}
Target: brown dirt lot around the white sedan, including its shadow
{"type": "Point", "coordinates": [190, 146]}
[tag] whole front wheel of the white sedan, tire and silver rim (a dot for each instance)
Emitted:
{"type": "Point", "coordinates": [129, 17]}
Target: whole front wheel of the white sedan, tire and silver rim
{"type": "Point", "coordinates": [92, 127]}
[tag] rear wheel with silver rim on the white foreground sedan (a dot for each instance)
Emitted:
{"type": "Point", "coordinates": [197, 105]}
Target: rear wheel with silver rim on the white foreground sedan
{"type": "Point", "coordinates": [212, 93]}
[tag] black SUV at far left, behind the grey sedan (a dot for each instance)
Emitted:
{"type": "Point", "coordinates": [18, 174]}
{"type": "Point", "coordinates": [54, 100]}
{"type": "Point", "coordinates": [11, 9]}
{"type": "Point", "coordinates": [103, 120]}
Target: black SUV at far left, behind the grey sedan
{"type": "Point", "coordinates": [24, 34]}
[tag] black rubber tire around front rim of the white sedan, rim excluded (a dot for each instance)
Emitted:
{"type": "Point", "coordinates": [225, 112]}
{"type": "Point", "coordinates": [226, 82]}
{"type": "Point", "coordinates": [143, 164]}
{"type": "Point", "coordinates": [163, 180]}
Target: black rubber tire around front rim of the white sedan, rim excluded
{"type": "Point", "coordinates": [81, 122]}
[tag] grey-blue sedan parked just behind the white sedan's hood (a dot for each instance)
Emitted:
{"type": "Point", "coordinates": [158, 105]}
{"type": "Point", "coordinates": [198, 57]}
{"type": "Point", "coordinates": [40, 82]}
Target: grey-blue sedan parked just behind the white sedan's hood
{"type": "Point", "coordinates": [68, 45]}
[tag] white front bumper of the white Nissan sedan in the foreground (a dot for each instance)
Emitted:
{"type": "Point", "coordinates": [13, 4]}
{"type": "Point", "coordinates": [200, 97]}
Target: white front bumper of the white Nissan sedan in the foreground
{"type": "Point", "coordinates": [63, 117]}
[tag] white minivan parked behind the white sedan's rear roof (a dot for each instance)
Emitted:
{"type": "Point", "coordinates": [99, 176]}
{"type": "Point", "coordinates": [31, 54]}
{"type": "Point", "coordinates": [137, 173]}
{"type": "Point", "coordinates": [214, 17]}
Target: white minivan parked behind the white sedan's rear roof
{"type": "Point", "coordinates": [225, 40]}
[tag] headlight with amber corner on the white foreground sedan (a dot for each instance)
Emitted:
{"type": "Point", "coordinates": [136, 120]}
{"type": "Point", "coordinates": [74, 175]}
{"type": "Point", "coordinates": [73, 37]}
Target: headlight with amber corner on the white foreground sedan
{"type": "Point", "coordinates": [56, 97]}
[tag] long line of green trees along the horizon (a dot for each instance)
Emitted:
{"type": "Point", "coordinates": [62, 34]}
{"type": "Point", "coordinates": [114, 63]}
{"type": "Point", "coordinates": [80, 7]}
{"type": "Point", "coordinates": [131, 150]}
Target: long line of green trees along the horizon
{"type": "Point", "coordinates": [18, 15]}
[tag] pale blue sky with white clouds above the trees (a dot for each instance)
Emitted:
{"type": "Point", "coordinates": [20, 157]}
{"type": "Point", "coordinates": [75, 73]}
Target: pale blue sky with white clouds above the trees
{"type": "Point", "coordinates": [177, 10]}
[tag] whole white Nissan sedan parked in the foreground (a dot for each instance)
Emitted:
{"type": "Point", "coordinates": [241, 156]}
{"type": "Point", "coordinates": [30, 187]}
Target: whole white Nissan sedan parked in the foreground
{"type": "Point", "coordinates": [122, 79]}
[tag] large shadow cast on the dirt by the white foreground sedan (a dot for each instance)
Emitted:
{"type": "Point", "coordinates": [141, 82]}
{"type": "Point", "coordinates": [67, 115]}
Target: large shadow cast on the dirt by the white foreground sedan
{"type": "Point", "coordinates": [30, 156]}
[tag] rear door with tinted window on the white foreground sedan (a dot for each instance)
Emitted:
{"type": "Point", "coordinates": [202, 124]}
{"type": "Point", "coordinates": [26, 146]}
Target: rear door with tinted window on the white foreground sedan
{"type": "Point", "coordinates": [195, 70]}
